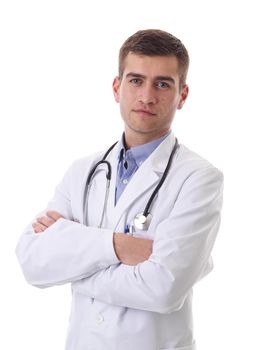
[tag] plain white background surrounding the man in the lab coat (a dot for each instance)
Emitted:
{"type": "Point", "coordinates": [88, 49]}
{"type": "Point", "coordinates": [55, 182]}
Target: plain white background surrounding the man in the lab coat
{"type": "Point", "coordinates": [57, 63]}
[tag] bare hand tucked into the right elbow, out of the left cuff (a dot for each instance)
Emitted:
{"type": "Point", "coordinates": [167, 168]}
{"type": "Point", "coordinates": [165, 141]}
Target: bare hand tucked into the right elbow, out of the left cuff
{"type": "Point", "coordinates": [132, 250]}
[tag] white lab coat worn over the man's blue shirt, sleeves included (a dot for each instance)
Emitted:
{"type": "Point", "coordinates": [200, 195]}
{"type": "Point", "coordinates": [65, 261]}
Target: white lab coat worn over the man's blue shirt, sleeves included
{"type": "Point", "coordinates": [120, 307]}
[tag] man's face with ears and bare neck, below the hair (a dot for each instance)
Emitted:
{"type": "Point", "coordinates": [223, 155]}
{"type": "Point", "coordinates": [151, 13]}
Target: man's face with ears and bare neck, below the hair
{"type": "Point", "coordinates": [149, 96]}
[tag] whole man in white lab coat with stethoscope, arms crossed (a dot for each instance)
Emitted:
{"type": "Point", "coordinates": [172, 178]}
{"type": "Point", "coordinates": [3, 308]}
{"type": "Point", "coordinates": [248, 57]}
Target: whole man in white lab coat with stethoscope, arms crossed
{"type": "Point", "coordinates": [132, 275]}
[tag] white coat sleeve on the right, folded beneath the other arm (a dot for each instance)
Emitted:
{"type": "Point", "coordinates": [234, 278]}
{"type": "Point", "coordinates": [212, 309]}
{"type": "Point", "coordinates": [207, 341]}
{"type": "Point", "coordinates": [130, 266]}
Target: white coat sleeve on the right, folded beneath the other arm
{"type": "Point", "coordinates": [180, 257]}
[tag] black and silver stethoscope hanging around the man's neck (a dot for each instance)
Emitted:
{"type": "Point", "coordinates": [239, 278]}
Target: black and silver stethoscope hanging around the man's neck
{"type": "Point", "coordinates": [143, 219]}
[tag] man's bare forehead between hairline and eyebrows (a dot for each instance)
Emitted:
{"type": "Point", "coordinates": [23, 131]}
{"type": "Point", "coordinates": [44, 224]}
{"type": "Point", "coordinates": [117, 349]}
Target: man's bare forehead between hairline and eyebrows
{"type": "Point", "coordinates": [151, 66]}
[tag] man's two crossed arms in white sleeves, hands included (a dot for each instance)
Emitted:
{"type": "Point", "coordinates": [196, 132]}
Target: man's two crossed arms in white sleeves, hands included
{"type": "Point", "coordinates": [160, 275]}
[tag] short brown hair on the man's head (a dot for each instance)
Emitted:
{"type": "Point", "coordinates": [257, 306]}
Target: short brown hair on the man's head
{"type": "Point", "coordinates": [155, 42]}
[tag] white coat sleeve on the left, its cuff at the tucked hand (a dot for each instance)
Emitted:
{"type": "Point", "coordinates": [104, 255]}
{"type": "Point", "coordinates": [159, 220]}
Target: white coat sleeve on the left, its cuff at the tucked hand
{"type": "Point", "coordinates": [66, 251]}
